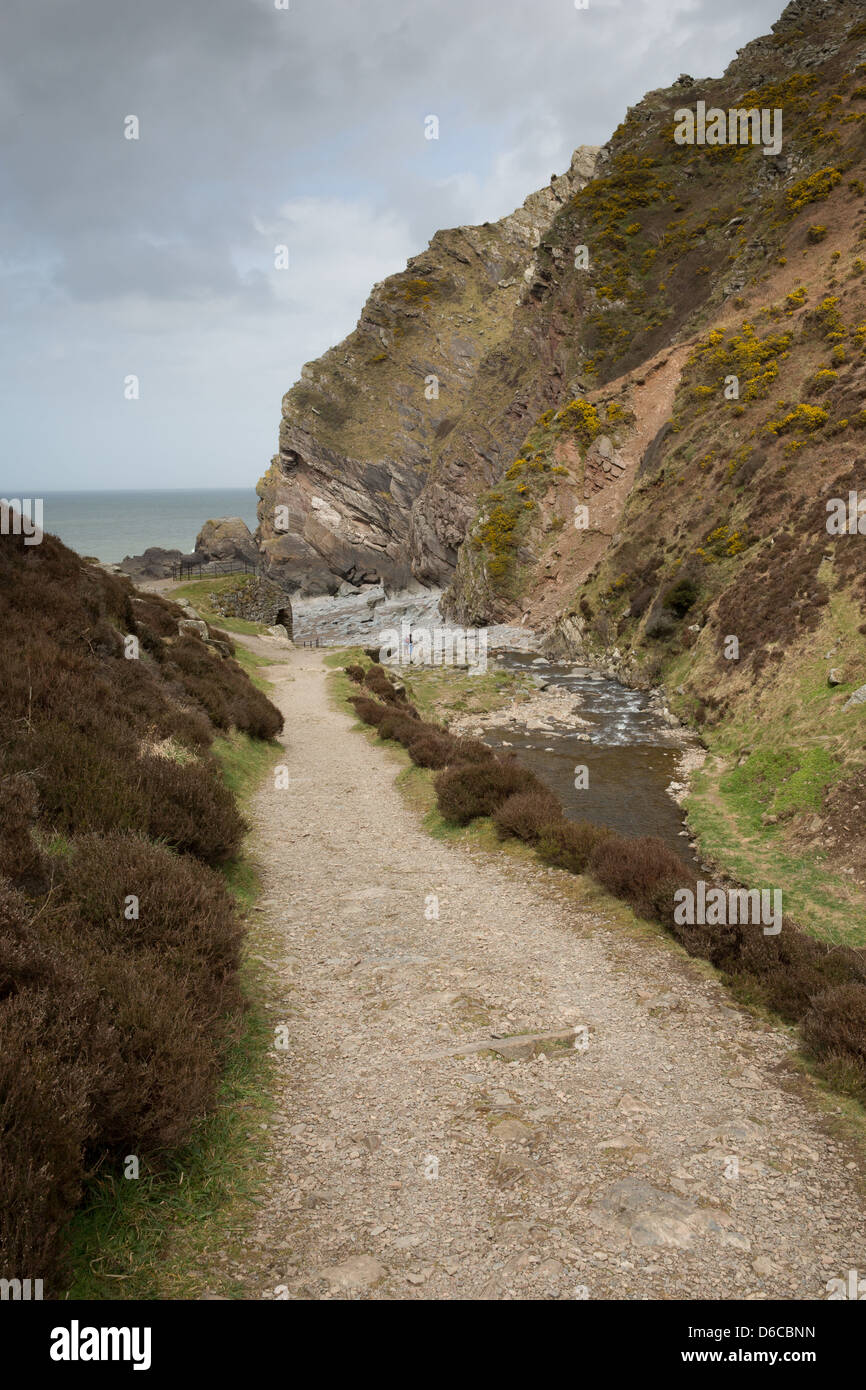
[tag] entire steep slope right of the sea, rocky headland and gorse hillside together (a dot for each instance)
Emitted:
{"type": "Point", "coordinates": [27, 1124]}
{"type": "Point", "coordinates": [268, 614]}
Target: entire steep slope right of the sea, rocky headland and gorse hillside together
{"type": "Point", "coordinates": [653, 389]}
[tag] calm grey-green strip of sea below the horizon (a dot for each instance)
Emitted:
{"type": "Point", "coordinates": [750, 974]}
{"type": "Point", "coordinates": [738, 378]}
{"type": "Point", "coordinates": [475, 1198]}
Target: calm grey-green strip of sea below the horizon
{"type": "Point", "coordinates": [113, 525]}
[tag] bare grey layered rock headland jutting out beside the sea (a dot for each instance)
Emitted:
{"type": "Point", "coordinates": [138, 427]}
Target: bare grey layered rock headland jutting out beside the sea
{"type": "Point", "coordinates": [384, 443]}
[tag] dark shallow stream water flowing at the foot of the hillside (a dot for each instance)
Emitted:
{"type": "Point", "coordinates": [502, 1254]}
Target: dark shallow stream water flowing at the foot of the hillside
{"type": "Point", "coordinates": [629, 753]}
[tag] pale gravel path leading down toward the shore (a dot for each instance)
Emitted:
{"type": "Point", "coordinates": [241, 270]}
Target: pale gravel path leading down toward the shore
{"type": "Point", "coordinates": [658, 1146]}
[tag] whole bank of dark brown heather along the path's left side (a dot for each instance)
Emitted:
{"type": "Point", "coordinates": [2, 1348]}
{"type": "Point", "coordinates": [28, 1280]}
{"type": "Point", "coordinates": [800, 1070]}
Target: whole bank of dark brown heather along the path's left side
{"type": "Point", "coordinates": [113, 1028]}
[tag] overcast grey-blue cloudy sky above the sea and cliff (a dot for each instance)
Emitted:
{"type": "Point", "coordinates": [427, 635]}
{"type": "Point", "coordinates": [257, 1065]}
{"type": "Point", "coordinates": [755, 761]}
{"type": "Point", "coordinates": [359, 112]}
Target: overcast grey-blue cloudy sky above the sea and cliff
{"type": "Point", "coordinates": [262, 127]}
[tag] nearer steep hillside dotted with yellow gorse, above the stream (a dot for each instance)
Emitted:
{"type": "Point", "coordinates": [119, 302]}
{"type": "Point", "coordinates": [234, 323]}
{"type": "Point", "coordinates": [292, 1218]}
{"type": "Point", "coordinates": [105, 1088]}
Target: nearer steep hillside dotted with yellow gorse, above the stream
{"type": "Point", "coordinates": [721, 336]}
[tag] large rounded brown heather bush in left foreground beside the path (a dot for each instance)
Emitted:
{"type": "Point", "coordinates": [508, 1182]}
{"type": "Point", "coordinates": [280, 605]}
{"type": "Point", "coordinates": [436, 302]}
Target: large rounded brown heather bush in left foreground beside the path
{"type": "Point", "coordinates": [113, 1031]}
